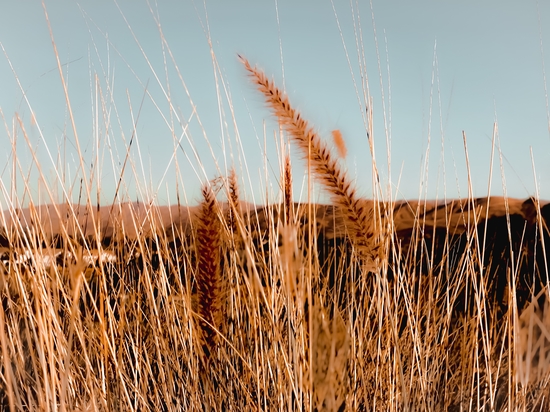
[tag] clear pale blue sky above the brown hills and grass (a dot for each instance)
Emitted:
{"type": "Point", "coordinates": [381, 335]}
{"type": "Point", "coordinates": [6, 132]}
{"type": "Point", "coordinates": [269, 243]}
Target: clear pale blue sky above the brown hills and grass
{"type": "Point", "coordinates": [161, 103]}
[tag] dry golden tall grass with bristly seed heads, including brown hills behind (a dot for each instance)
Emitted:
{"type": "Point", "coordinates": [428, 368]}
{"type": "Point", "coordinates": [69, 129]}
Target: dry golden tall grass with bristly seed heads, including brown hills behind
{"type": "Point", "coordinates": [289, 306]}
